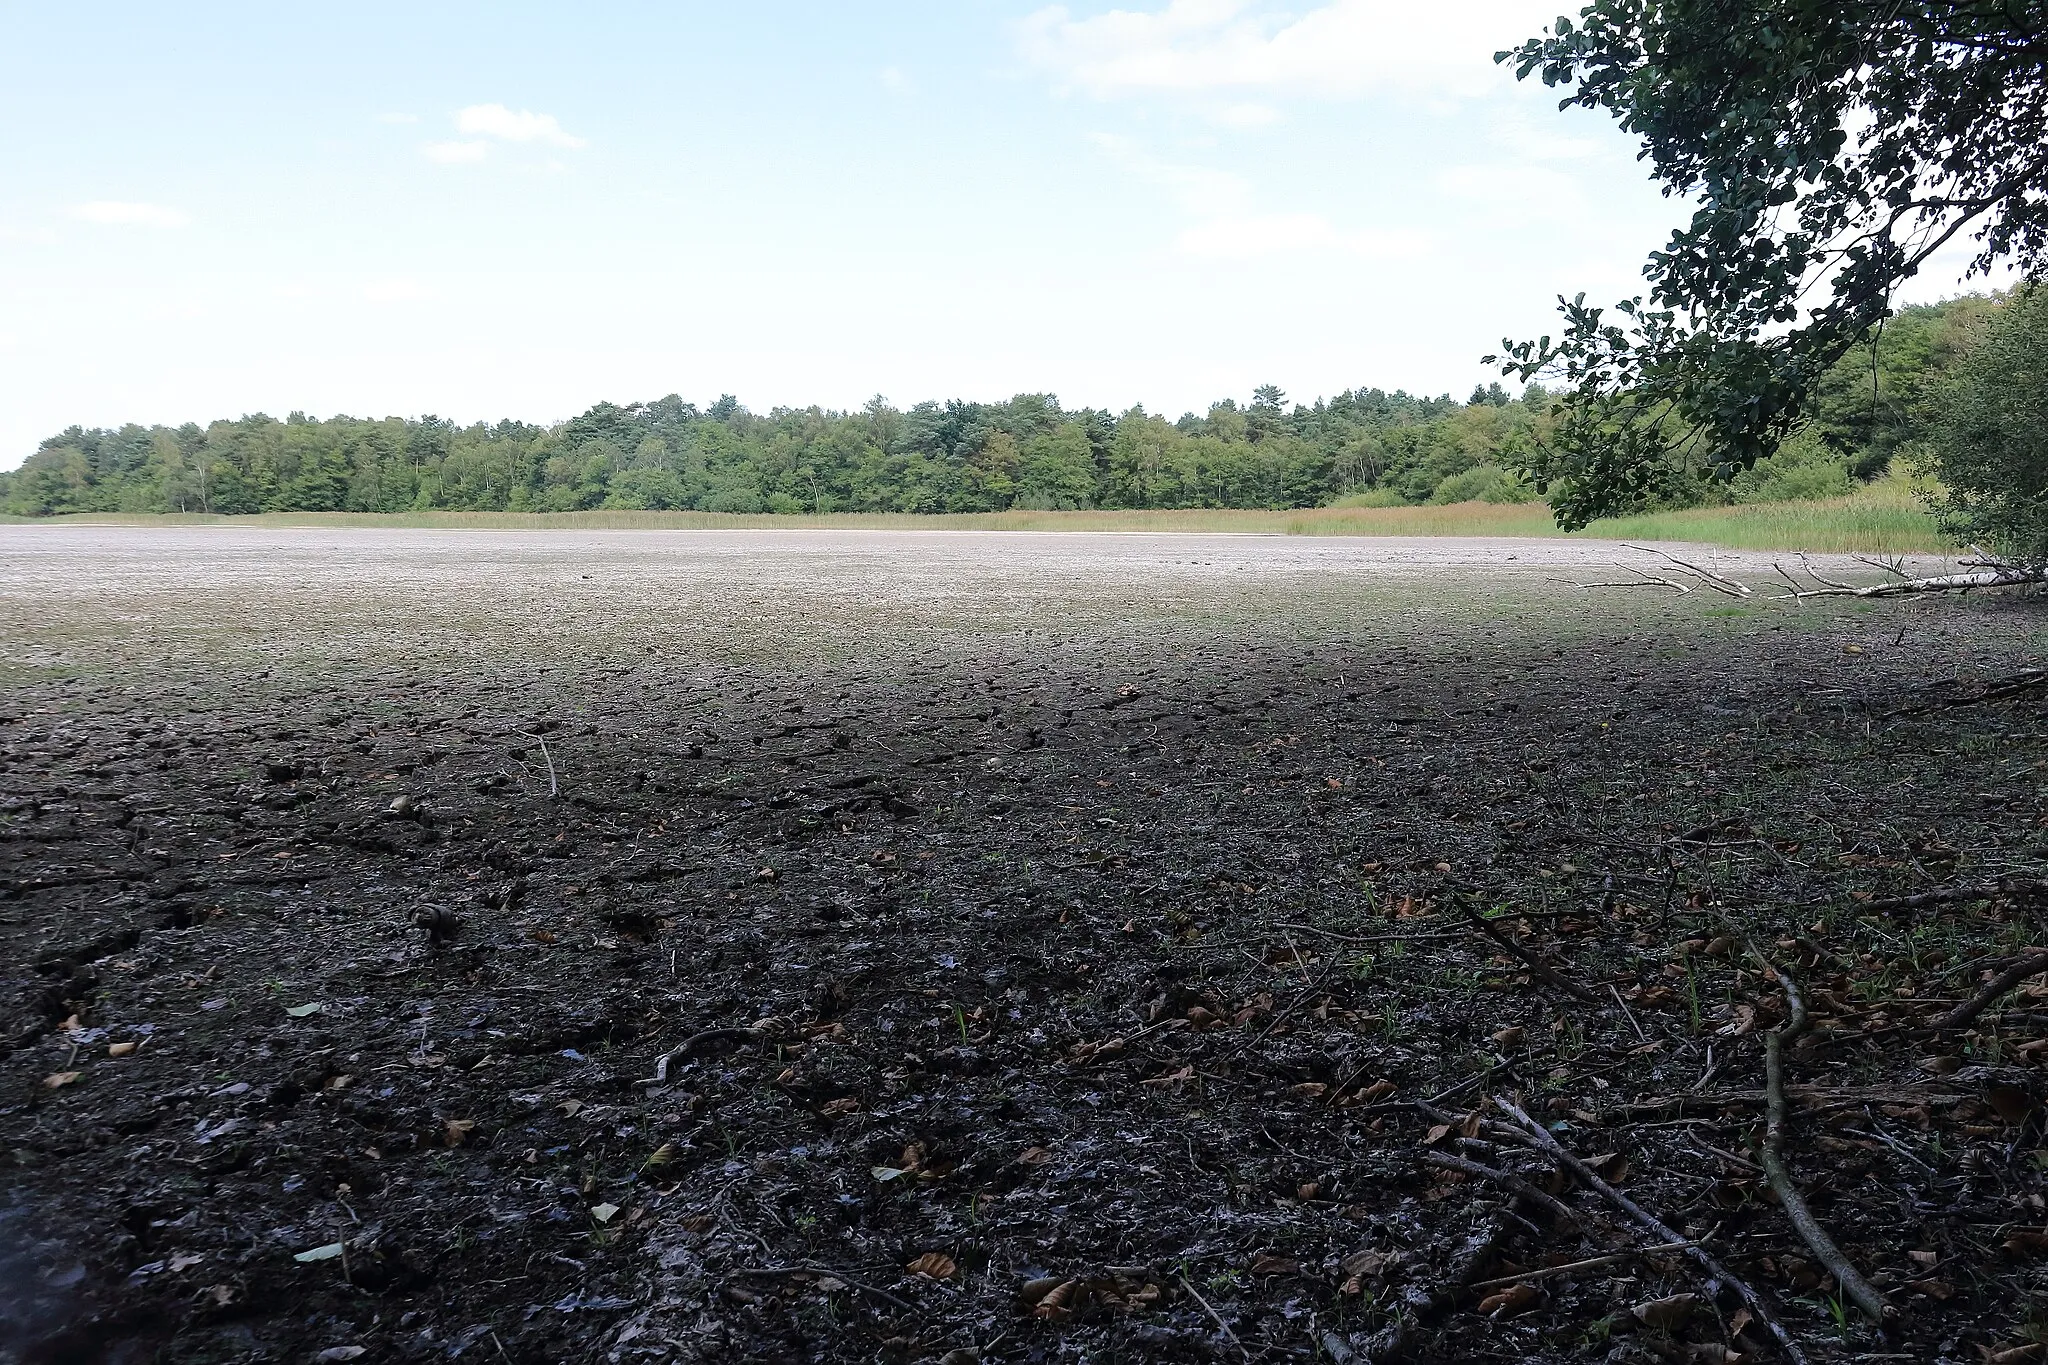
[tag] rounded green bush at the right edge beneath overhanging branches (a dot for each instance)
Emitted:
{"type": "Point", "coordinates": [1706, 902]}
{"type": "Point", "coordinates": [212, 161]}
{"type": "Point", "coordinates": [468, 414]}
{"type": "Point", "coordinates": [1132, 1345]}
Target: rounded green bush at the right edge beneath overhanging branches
{"type": "Point", "coordinates": [1990, 439]}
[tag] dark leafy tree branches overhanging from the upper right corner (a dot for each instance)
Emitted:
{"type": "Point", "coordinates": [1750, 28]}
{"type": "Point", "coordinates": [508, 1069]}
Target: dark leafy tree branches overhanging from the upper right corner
{"type": "Point", "coordinates": [1832, 146]}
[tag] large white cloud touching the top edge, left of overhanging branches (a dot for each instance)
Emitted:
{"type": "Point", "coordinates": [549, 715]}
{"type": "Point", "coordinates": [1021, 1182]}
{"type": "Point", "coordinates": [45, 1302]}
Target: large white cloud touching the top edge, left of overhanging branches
{"type": "Point", "coordinates": [1342, 48]}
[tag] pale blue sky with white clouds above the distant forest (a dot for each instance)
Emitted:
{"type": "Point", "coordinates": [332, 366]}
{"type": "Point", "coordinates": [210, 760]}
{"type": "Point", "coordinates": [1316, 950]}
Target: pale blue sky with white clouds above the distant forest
{"type": "Point", "coordinates": [521, 210]}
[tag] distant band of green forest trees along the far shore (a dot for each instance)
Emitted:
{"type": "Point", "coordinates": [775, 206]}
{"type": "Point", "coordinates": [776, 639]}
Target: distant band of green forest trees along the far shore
{"type": "Point", "coordinates": [1363, 447]}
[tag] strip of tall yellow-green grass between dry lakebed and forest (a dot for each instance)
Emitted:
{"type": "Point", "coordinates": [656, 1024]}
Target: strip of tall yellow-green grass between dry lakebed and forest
{"type": "Point", "coordinates": [1883, 519]}
